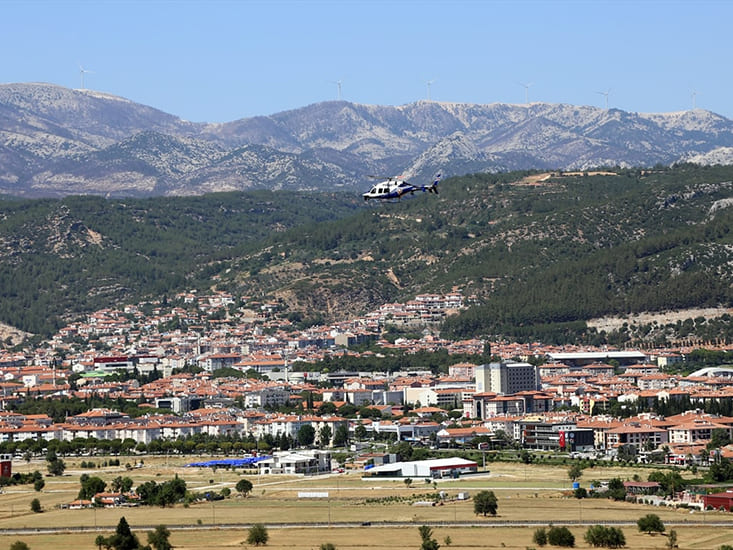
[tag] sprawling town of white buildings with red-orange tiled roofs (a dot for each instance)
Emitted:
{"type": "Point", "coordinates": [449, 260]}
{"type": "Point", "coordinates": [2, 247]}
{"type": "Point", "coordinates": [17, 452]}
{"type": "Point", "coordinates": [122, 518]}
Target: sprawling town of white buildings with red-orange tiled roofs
{"type": "Point", "coordinates": [587, 402]}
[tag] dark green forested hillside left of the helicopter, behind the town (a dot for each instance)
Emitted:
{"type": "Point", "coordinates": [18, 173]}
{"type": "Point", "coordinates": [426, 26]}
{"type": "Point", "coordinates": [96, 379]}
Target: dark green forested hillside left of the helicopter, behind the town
{"type": "Point", "coordinates": [60, 258]}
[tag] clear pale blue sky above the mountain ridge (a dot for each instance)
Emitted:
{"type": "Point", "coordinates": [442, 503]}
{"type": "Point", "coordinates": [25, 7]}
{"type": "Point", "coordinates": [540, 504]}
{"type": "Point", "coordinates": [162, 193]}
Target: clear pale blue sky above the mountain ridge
{"type": "Point", "coordinates": [221, 60]}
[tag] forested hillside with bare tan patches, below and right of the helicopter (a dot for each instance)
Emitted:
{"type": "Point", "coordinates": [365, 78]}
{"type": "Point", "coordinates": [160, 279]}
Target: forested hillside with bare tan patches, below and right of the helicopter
{"type": "Point", "coordinates": [541, 254]}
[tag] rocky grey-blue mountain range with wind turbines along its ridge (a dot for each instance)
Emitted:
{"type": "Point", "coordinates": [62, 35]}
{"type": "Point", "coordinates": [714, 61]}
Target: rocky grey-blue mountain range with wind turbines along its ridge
{"type": "Point", "coordinates": [56, 141]}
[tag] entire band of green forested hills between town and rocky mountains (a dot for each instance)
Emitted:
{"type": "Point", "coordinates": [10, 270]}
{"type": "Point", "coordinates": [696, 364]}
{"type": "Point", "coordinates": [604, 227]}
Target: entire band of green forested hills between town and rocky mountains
{"type": "Point", "coordinates": [538, 253]}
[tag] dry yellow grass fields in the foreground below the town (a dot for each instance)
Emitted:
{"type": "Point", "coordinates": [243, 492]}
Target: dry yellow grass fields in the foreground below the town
{"type": "Point", "coordinates": [532, 492]}
